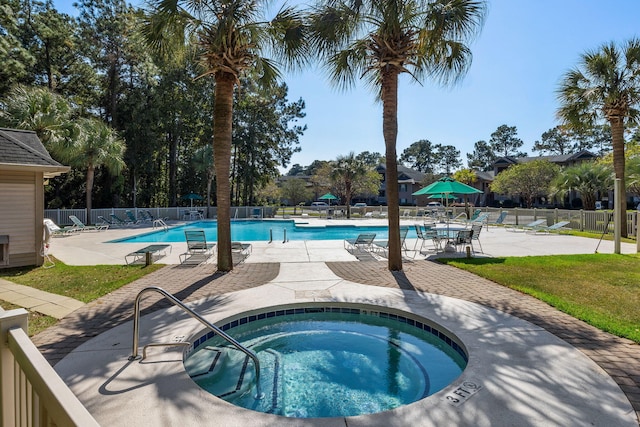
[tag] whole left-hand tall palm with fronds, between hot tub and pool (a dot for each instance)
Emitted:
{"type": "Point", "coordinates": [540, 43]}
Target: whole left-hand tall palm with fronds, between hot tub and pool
{"type": "Point", "coordinates": [233, 37]}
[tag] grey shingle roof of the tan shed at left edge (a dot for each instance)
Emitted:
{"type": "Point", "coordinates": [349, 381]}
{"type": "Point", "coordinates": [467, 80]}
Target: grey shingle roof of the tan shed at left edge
{"type": "Point", "coordinates": [23, 148]}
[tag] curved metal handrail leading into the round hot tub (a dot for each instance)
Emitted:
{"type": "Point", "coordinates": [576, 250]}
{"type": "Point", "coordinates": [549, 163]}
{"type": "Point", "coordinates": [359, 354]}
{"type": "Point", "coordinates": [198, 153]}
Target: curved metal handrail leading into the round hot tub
{"type": "Point", "coordinates": [214, 328]}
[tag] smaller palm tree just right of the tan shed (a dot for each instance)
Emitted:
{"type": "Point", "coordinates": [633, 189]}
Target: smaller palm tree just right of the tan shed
{"type": "Point", "coordinates": [97, 145]}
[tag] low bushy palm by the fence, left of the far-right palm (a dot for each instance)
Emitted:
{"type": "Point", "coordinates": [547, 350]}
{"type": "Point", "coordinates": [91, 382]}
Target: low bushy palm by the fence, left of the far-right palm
{"type": "Point", "coordinates": [587, 178]}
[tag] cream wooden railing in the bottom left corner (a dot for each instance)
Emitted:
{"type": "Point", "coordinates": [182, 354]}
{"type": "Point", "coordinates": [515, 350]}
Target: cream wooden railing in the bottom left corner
{"type": "Point", "coordinates": [32, 393]}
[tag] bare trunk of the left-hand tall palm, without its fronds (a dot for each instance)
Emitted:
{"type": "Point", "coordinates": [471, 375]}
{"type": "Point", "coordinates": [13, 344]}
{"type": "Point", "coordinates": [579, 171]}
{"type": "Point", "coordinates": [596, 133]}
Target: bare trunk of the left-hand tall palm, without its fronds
{"type": "Point", "coordinates": [222, 128]}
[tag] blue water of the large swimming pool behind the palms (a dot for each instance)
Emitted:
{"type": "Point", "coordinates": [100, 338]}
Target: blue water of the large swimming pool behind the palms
{"type": "Point", "coordinates": [258, 231]}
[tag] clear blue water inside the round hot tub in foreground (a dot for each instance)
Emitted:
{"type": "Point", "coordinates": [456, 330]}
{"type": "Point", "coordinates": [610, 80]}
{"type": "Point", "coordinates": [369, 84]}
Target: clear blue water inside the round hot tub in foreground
{"type": "Point", "coordinates": [327, 365]}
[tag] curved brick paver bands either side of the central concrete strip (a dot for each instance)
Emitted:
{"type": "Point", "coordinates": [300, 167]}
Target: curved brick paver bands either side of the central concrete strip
{"type": "Point", "coordinates": [619, 357]}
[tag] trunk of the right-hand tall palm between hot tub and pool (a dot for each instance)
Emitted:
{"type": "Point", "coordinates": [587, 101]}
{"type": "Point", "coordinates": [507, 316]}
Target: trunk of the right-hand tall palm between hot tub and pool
{"type": "Point", "coordinates": [390, 133]}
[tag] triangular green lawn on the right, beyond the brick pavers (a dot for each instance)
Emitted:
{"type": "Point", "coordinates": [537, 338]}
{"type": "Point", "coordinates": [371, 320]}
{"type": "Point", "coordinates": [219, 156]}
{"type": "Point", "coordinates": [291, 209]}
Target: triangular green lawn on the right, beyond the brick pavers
{"type": "Point", "coordinates": [601, 289]}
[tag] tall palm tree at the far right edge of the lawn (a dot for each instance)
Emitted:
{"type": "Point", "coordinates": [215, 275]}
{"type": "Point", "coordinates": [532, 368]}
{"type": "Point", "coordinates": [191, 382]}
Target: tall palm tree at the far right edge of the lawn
{"type": "Point", "coordinates": [605, 85]}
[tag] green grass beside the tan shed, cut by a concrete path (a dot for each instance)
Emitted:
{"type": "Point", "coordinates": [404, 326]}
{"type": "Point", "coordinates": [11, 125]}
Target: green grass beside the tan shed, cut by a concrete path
{"type": "Point", "coordinates": [84, 283]}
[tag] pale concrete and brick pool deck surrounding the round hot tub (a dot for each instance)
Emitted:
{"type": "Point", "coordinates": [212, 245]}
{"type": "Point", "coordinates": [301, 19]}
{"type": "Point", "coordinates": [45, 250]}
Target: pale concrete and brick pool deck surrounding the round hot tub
{"type": "Point", "coordinates": [536, 365]}
